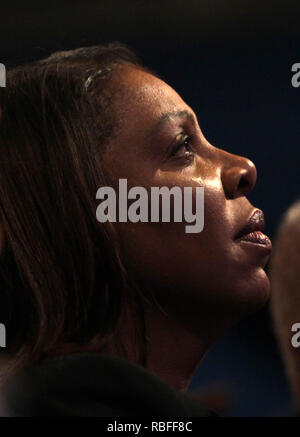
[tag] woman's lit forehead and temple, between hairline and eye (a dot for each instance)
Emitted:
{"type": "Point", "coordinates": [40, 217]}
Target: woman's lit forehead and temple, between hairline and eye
{"type": "Point", "coordinates": [141, 100]}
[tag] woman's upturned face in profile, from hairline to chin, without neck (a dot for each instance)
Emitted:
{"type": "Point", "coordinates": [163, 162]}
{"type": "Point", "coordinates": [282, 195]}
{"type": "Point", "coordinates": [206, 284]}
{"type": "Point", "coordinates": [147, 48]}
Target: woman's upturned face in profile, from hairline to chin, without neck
{"type": "Point", "coordinates": [159, 143]}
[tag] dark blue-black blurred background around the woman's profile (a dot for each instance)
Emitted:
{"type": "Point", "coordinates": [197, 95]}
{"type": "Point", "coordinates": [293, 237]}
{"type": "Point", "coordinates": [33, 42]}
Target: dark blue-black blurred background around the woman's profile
{"type": "Point", "coordinates": [231, 61]}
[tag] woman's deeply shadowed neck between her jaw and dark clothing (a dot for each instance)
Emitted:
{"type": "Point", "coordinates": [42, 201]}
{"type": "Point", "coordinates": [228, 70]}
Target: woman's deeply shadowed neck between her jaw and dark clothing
{"type": "Point", "coordinates": [174, 347]}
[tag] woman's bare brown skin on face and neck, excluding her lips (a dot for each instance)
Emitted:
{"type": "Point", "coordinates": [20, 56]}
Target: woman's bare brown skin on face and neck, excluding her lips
{"type": "Point", "coordinates": [204, 282]}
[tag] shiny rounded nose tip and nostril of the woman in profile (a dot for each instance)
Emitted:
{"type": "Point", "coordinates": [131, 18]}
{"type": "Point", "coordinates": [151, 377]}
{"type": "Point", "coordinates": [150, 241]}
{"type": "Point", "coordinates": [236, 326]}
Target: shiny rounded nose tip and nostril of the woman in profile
{"type": "Point", "coordinates": [238, 176]}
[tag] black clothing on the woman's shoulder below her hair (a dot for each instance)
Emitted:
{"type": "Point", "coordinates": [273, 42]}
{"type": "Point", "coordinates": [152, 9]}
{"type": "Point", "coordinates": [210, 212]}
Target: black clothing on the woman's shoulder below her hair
{"type": "Point", "coordinates": [97, 385]}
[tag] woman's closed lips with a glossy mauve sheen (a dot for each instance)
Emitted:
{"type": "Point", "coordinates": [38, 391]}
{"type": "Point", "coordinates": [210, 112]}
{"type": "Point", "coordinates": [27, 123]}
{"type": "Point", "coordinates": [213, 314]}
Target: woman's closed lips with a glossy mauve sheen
{"type": "Point", "coordinates": [253, 234]}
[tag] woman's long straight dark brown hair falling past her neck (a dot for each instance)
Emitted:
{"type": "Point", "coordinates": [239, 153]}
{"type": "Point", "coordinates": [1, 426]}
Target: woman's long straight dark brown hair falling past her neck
{"type": "Point", "coordinates": [62, 280]}
